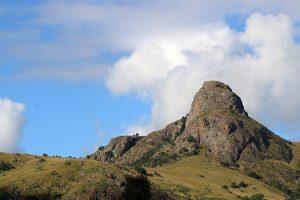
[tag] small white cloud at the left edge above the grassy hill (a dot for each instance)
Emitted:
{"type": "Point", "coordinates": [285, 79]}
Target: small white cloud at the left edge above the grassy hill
{"type": "Point", "coordinates": [11, 124]}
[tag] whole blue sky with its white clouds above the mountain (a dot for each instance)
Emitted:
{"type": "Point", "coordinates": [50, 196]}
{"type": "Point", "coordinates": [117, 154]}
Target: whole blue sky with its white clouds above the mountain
{"type": "Point", "coordinates": [87, 71]}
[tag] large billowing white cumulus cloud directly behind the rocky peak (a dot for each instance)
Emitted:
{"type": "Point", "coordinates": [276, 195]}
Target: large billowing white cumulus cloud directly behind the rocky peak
{"type": "Point", "coordinates": [260, 64]}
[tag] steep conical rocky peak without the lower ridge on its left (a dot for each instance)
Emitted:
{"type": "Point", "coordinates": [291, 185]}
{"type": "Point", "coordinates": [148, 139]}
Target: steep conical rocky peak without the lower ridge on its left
{"type": "Point", "coordinates": [218, 119]}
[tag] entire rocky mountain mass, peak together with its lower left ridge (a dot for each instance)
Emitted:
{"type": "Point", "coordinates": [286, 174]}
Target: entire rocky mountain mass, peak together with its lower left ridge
{"type": "Point", "coordinates": [217, 122]}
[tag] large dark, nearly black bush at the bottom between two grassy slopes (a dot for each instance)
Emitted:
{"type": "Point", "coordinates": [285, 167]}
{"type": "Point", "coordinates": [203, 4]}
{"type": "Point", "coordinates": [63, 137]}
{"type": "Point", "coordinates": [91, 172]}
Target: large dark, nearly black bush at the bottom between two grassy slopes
{"type": "Point", "coordinates": [136, 188]}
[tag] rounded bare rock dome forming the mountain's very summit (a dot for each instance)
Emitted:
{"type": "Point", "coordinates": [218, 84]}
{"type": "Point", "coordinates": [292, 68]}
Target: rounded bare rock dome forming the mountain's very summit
{"type": "Point", "coordinates": [215, 95]}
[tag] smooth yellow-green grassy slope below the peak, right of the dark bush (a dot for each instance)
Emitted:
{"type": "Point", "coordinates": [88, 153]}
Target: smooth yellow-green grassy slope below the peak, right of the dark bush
{"type": "Point", "coordinates": [198, 177]}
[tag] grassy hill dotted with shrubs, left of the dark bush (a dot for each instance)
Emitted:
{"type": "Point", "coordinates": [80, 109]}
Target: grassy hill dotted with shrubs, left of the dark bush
{"type": "Point", "coordinates": [52, 177]}
